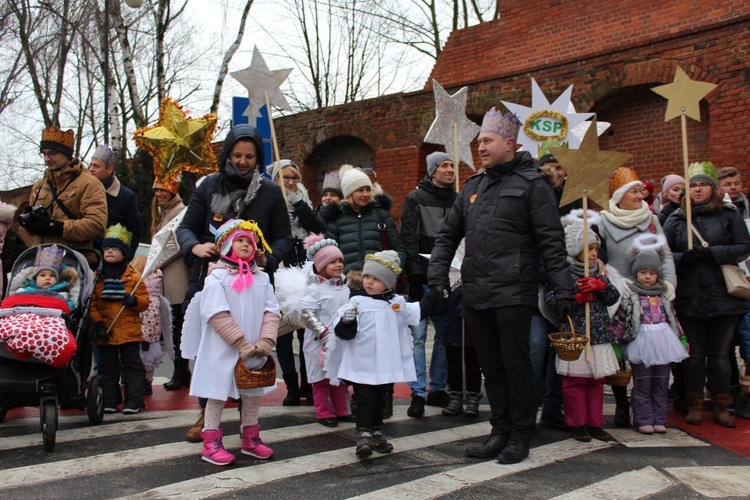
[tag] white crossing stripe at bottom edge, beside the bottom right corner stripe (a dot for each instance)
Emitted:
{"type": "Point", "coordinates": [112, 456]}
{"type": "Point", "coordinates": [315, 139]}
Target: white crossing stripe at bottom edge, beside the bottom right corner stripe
{"type": "Point", "coordinates": [633, 484]}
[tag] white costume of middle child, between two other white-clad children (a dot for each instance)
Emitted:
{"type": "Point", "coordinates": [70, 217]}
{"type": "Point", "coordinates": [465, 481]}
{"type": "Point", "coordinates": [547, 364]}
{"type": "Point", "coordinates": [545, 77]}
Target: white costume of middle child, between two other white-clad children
{"type": "Point", "coordinates": [325, 298]}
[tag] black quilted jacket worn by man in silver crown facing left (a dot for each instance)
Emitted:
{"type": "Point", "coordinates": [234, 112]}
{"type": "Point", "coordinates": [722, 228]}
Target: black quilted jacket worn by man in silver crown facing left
{"type": "Point", "coordinates": [509, 218]}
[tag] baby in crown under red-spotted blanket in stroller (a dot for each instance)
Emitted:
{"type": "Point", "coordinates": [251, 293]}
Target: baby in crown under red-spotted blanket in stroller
{"type": "Point", "coordinates": [33, 321]}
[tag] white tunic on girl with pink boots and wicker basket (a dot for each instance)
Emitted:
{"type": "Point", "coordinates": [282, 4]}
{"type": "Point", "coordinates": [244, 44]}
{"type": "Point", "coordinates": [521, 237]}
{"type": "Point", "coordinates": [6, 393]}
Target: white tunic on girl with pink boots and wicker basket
{"type": "Point", "coordinates": [213, 376]}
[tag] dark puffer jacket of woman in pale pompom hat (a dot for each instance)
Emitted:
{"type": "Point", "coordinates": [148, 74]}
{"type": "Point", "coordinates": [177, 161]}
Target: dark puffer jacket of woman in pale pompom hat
{"type": "Point", "coordinates": [357, 233]}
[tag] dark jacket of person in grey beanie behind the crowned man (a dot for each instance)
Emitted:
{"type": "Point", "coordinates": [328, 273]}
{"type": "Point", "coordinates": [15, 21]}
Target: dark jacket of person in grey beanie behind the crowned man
{"type": "Point", "coordinates": [423, 214]}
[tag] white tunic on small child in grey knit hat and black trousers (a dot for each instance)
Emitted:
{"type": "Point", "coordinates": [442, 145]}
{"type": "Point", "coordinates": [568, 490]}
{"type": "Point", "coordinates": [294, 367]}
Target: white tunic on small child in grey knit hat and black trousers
{"type": "Point", "coordinates": [382, 351]}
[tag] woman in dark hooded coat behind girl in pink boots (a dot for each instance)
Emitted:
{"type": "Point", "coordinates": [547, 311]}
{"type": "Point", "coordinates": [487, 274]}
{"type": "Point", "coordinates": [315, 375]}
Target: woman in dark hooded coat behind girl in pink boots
{"type": "Point", "coordinates": [238, 191]}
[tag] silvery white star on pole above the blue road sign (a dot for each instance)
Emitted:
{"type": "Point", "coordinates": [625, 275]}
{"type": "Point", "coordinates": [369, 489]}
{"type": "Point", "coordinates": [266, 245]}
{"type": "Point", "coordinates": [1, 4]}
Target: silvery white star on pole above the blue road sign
{"type": "Point", "coordinates": [257, 78]}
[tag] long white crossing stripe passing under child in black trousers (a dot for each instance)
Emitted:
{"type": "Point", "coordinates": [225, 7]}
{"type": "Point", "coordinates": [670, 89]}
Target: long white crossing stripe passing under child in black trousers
{"type": "Point", "coordinates": [230, 481]}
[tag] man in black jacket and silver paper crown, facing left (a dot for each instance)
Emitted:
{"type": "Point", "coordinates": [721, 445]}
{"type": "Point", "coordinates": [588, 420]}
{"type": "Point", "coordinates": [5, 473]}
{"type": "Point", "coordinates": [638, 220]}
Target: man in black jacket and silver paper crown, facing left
{"type": "Point", "coordinates": [509, 219]}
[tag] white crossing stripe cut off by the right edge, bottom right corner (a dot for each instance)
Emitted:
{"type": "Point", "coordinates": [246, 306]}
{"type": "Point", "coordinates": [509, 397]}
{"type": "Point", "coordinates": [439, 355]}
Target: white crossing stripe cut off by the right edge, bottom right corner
{"type": "Point", "coordinates": [715, 482]}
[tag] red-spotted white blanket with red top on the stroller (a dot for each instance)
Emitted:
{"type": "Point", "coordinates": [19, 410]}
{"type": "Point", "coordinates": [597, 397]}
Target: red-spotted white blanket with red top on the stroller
{"type": "Point", "coordinates": [46, 338]}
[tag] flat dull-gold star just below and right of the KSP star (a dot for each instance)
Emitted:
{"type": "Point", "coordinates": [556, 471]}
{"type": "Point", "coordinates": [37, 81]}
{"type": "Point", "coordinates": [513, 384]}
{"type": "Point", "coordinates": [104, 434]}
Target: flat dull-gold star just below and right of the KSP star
{"type": "Point", "coordinates": [588, 169]}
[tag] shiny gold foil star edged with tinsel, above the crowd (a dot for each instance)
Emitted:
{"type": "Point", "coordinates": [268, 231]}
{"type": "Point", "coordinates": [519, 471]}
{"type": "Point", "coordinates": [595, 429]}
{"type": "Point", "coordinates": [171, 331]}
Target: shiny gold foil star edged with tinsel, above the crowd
{"type": "Point", "coordinates": [178, 143]}
